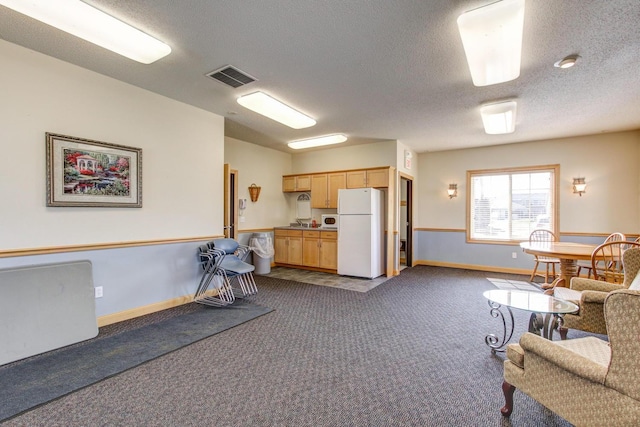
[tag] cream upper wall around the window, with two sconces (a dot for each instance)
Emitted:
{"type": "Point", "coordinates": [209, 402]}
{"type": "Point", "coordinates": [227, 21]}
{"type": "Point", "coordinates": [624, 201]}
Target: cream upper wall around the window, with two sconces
{"type": "Point", "coordinates": [609, 163]}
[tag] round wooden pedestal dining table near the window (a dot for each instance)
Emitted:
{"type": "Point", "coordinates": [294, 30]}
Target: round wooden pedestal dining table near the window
{"type": "Point", "coordinates": [568, 253]}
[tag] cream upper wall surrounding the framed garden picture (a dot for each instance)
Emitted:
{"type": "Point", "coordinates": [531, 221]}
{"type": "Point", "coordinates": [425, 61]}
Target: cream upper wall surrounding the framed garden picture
{"type": "Point", "coordinates": [182, 148]}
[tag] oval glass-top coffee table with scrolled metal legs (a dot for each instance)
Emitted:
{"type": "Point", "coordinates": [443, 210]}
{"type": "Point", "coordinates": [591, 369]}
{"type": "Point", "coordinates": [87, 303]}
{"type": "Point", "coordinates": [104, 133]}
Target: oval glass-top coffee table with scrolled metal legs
{"type": "Point", "coordinates": [537, 303]}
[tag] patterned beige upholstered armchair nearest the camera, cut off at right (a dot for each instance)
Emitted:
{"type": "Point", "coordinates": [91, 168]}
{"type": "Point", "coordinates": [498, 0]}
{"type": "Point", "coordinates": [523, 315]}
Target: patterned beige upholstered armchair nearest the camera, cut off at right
{"type": "Point", "coordinates": [587, 381]}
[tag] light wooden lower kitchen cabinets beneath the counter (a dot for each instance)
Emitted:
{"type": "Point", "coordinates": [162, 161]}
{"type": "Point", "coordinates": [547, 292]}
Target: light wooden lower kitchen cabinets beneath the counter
{"type": "Point", "coordinates": [316, 249]}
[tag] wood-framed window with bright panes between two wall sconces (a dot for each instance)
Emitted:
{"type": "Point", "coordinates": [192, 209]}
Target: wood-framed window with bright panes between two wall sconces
{"type": "Point", "coordinates": [506, 205]}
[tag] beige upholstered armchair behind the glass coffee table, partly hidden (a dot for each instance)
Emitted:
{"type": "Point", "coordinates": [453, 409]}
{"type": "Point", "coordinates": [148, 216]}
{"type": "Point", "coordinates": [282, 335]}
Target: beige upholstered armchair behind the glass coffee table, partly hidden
{"type": "Point", "coordinates": [590, 294]}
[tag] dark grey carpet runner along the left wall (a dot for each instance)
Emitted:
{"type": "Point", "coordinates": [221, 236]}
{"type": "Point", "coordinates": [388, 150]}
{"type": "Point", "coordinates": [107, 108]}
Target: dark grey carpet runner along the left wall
{"type": "Point", "coordinates": [38, 380]}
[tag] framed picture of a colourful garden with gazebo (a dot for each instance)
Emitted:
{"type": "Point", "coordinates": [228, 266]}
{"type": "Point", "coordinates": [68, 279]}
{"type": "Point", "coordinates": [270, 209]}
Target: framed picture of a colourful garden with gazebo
{"type": "Point", "coordinates": [86, 173]}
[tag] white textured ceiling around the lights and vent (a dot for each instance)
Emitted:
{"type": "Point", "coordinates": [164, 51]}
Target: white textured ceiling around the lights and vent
{"type": "Point", "coordinates": [372, 69]}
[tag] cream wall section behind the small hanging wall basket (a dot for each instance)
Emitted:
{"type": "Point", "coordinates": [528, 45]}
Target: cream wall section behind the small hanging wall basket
{"type": "Point", "coordinates": [264, 167]}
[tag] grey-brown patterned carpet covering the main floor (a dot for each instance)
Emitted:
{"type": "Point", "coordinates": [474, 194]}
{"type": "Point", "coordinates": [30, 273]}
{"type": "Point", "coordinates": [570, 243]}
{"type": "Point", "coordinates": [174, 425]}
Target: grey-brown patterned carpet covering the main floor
{"type": "Point", "coordinates": [409, 352]}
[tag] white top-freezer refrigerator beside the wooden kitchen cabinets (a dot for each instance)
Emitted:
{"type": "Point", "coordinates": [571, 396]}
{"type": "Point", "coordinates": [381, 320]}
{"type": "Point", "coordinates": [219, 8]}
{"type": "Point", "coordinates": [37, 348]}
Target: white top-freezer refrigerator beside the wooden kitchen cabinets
{"type": "Point", "coordinates": [361, 232]}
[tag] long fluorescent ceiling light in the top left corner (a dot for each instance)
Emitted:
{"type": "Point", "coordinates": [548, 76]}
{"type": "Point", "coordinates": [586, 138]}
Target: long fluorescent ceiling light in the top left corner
{"type": "Point", "coordinates": [88, 23]}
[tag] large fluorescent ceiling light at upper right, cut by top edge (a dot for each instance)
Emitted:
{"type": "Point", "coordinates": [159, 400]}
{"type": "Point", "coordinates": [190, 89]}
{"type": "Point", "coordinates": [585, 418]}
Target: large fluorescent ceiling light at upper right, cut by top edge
{"type": "Point", "coordinates": [492, 39]}
